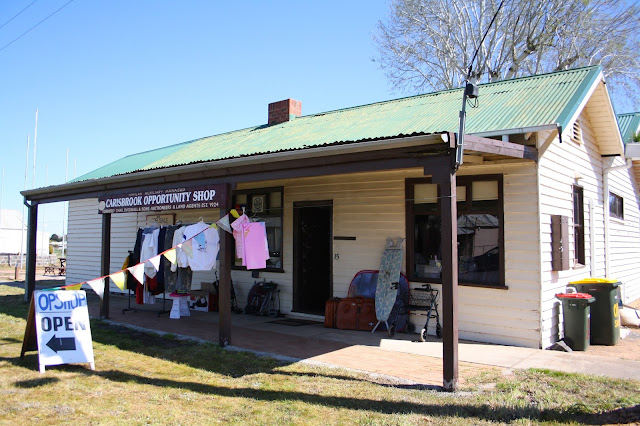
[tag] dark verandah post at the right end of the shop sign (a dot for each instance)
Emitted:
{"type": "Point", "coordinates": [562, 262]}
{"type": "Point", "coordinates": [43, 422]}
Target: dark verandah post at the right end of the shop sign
{"type": "Point", "coordinates": [224, 287]}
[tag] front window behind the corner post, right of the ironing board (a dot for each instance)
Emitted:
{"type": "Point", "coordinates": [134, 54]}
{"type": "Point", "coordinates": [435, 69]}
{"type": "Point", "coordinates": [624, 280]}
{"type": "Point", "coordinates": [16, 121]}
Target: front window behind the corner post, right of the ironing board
{"type": "Point", "coordinates": [480, 230]}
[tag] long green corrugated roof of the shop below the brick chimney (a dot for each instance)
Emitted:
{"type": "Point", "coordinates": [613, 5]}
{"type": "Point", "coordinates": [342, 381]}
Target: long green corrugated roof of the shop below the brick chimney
{"type": "Point", "coordinates": [548, 99]}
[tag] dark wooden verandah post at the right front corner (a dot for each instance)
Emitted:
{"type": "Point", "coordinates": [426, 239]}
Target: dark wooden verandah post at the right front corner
{"type": "Point", "coordinates": [446, 178]}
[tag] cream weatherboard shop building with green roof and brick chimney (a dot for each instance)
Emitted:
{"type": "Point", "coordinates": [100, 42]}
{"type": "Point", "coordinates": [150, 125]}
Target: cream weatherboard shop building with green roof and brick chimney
{"type": "Point", "coordinates": [332, 187]}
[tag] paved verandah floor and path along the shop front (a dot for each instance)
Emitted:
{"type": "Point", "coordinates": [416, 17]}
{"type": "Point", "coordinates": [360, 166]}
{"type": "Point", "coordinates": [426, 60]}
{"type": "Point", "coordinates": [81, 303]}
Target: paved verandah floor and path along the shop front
{"type": "Point", "coordinates": [400, 357]}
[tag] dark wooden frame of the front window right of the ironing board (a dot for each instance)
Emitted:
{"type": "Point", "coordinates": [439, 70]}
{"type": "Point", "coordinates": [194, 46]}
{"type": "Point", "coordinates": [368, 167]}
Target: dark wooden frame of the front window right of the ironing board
{"type": "Point", "coordinates": [467, 182]}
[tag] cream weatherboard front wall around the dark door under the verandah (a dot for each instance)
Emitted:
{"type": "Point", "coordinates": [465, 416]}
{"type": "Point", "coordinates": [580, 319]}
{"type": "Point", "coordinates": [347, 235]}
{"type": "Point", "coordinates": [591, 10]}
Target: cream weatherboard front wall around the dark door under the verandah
{"type": "Point", "coordinates": [370, 207]}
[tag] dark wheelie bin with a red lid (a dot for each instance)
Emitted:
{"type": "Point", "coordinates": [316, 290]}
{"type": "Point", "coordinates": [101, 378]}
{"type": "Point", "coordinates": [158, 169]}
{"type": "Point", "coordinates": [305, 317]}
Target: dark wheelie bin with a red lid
{"type": "Point", "coordinates": [575, 314]}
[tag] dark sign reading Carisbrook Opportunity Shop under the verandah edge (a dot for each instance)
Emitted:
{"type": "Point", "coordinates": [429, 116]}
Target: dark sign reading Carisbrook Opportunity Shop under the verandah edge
{"type": "Point", "coordinates": [180, 198]}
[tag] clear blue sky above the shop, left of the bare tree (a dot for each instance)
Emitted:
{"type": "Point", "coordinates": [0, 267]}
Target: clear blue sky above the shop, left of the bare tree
{"type": "Point", "coordinates": [112, 78]}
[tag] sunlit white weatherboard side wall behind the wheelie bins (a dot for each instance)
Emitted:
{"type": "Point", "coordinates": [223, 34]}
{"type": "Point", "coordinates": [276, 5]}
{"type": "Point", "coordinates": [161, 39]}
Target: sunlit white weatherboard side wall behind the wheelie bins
{"type": "Point", "coordinates": [562, 166]}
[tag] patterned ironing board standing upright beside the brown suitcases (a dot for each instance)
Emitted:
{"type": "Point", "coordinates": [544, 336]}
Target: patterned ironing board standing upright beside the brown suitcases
{"type": "Point", "coordinates": [388, 279]}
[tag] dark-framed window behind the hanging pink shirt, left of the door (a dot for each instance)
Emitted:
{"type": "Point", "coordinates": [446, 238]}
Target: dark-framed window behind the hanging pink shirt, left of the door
{"type": "Point", "coordinates": [264, 205]}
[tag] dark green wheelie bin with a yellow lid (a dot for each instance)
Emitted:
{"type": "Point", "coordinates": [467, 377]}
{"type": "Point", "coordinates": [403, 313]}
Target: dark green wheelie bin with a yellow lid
{"type": "Point", "coordinates": [605, 312]}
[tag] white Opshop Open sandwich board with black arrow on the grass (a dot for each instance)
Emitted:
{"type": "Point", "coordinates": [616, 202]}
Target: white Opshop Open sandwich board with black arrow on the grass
{"type": "Point", "coordinates": [58, 322]}
